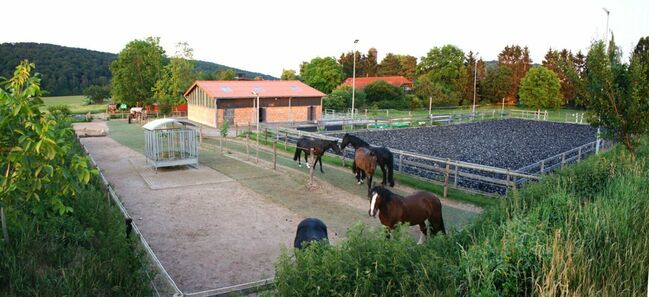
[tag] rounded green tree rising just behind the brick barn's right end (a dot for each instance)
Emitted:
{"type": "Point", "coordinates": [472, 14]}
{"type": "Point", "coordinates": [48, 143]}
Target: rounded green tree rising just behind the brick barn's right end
{"type": "Point", "coordinates": [323, 74]}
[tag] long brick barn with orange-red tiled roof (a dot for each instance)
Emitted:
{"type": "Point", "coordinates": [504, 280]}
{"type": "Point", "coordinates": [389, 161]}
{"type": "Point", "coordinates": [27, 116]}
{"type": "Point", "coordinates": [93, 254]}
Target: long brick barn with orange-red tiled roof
{"type": "Point", "coordinates": [212, 102]}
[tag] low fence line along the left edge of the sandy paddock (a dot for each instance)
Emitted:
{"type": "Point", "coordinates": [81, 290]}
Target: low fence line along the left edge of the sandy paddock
{"type": "Point", "coordinates": [162, 282]}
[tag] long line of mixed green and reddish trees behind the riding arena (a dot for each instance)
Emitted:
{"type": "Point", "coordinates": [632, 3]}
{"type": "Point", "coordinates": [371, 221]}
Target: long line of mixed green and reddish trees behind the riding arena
{"type": "Point", "coordinates": [451, 77]}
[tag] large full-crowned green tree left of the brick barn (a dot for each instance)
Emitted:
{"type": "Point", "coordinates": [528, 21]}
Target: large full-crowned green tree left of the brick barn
{"type": "Point", "coordinates": [136, 70]}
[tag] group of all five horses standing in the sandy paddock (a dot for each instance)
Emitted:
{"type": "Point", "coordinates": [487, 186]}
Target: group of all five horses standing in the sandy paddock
{"type": "Point", "coordinates": [420, 208]}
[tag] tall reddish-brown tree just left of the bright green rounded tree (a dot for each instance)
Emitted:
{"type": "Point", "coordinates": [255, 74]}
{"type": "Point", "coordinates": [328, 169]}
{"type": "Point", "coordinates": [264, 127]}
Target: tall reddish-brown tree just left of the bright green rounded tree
{"type": "Point", "coordinates": [519, 61]}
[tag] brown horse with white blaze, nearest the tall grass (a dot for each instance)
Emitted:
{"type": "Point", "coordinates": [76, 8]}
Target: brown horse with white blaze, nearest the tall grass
{"type": "Point", "coordinates": [414, 209]}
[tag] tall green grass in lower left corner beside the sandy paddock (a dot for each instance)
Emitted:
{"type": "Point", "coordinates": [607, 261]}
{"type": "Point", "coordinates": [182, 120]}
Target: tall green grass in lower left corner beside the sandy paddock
{"type": "Point", "coordinates": [83, 253]}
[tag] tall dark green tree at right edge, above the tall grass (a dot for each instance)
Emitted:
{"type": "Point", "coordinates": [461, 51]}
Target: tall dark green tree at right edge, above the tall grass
{"type": "Point", "coordinates": [617, 94]}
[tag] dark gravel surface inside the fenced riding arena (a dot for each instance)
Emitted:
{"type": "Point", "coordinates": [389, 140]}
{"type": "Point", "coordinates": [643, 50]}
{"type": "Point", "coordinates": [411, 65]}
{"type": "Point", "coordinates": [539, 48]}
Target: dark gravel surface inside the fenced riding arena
{"type": "Point", "coordinates": [510, 143]}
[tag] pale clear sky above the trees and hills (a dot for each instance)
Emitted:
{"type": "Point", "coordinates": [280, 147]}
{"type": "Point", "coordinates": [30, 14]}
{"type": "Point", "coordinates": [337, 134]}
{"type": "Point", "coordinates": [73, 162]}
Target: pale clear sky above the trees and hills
{"type": "Point", "coordinates": [267, 36]}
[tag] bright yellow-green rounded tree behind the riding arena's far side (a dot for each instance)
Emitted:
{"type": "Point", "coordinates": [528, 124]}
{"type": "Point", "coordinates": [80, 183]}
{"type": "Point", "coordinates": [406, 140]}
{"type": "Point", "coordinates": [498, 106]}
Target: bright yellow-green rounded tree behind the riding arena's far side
{"type": "Point", "coordinates": [540, 89]}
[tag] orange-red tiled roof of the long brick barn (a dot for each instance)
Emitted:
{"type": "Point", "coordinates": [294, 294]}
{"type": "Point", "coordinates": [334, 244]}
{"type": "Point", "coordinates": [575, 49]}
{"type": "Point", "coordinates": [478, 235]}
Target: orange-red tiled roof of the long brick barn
{"type": "Point", "coordinates": [224, 89]}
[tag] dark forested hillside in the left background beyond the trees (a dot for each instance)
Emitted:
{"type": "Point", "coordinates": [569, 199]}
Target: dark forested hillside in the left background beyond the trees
{"type": "Point", "coordinates": [68, 71]}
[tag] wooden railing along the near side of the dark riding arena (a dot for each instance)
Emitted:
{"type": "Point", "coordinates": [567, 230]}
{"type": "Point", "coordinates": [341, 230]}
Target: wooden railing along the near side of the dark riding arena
{"type": "Point", "coordinates": [449, 173]}
